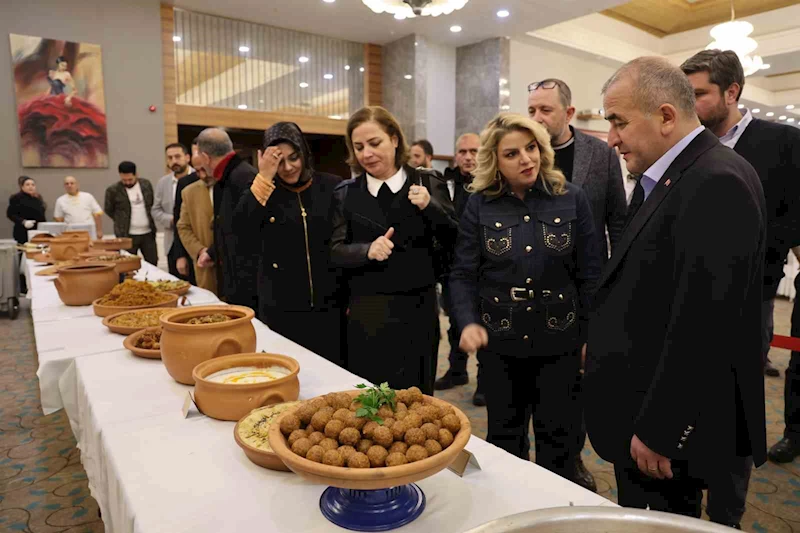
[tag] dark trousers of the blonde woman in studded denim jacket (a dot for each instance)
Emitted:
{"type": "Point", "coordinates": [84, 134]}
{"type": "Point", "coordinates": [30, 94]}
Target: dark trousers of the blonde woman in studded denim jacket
{"type": "Point", "coordinates": [539, 387]}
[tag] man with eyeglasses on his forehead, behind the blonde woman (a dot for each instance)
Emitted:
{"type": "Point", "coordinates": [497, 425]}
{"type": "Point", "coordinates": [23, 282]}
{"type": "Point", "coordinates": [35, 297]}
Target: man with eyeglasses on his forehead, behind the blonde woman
{"type": "Point", "coordinates": [589, 162]}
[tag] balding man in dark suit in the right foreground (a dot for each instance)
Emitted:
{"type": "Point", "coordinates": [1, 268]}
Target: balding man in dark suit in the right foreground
{"type": "Point", "coordinates": [674, 392]}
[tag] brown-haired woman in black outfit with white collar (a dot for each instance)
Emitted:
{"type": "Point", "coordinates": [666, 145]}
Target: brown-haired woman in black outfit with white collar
{"type": "Point", "coordinates": [384, 225]}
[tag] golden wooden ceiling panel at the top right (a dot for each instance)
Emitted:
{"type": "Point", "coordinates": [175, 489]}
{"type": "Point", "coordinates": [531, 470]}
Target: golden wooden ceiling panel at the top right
{"type": "Point", "coordinates": [665, 17]}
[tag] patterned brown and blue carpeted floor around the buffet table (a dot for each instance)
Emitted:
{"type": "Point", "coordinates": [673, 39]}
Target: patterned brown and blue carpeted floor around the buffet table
{"type": "Point", "coordinates": [43, 487]}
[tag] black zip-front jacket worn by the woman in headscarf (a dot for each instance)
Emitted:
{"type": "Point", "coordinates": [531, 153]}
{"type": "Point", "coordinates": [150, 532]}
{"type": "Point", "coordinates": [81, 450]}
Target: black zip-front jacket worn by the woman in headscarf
{"type": "Point", "coordinates": [291, 268]}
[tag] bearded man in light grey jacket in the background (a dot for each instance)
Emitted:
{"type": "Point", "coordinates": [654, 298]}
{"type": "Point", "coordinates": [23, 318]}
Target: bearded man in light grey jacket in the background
{"type": "Point", "coordinates": [178, 159]}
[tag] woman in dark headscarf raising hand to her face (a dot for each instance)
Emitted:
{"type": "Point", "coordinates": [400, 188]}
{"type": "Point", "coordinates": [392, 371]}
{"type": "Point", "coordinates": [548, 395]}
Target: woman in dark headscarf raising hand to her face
{"type": "Point", "coordinates": [287, 215]}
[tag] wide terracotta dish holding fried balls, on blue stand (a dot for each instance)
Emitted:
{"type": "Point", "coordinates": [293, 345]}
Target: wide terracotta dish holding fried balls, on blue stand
{"type": "Point", "coordinates": [370, 478]}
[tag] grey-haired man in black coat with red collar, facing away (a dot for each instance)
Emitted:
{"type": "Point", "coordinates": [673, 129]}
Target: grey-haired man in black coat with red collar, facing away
{"type": "Point", "coordinates": [237, 264]}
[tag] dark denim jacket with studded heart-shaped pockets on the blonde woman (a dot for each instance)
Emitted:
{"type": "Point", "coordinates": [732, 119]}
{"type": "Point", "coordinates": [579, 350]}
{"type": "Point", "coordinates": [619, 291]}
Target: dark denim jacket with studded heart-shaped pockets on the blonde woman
{"type": "Point", "coordinates": [544, 245]}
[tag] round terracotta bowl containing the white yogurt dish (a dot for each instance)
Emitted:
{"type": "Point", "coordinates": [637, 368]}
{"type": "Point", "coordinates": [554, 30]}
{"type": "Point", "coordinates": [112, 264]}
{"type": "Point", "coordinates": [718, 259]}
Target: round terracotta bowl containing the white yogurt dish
{"type": "Point", "coordinates": [232, 401]}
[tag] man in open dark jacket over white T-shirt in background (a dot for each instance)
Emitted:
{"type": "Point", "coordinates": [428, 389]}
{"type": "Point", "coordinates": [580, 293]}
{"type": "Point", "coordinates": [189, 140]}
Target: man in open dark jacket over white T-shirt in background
{"type": "Point", "coordinates": [128, 203]}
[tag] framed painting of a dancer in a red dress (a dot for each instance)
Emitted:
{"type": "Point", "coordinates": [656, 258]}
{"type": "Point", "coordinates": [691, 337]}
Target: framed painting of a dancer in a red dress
{"type": "Point", "coordinates": [60, 99]}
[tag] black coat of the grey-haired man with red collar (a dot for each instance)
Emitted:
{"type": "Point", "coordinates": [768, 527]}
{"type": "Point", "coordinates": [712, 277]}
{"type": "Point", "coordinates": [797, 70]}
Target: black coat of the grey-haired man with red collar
{"type": "Point", "coordinates": [237, 264]}
